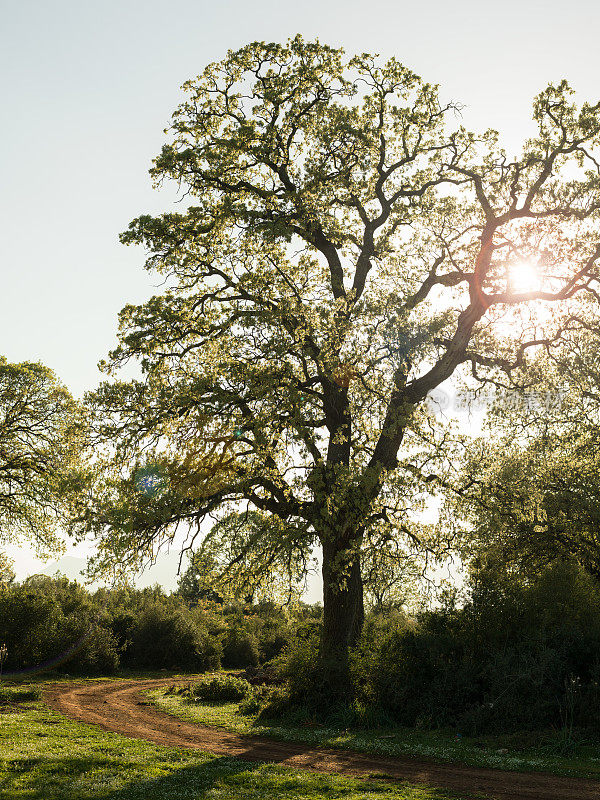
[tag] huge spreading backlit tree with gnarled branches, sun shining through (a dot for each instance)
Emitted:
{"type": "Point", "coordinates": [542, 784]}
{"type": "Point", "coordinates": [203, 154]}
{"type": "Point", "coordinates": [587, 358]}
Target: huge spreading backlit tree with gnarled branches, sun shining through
{"type": "Point", "coordinates": [345, 247]}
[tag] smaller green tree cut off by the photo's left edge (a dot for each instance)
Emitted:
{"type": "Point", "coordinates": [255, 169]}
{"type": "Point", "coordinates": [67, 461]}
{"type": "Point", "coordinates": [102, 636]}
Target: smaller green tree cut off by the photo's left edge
{"type": "Point", "coordinates": [41, 429]}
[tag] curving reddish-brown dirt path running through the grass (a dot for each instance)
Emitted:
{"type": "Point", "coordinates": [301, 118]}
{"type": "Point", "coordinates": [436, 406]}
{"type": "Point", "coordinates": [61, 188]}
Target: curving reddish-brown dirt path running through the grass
{"type": "Point", "coordinates": [119, 706]}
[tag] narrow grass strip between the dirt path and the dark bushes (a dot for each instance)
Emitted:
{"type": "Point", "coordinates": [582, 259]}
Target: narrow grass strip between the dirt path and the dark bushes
{"type": "Point", "coordinates": [528, 752]}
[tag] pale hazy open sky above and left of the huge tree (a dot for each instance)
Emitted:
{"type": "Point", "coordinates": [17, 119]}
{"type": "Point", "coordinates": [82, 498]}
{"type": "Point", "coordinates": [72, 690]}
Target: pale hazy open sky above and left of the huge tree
{"type": "Point", "coordinates": [87, 89]}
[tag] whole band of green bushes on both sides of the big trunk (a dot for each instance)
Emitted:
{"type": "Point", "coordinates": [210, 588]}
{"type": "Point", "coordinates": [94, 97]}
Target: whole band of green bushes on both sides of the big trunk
{"type": "Point", "coordinates": [518, 654]}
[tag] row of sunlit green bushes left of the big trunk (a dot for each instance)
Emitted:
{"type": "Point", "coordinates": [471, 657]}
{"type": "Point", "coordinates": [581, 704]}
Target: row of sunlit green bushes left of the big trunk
{"type": "Point", "coordinates": [53, 623]}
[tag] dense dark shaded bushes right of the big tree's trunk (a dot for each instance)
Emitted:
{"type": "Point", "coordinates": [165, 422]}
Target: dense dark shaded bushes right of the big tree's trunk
{"type": "Point", "coordinates": [516, 657]}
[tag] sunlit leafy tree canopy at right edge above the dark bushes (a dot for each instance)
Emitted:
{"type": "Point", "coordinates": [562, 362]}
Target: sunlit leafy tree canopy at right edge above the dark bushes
{"type": "Point", "coordinates": [528, 491]}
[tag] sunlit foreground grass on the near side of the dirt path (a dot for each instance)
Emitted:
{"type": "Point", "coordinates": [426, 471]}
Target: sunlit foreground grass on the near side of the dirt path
{"type": "Point", "coordinates": [44, 756]}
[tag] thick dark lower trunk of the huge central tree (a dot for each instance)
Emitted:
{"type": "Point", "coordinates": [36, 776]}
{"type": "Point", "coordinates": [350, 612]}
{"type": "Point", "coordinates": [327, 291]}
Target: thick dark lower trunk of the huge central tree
{"type": "Point", "coordinates": [343, 615]}
